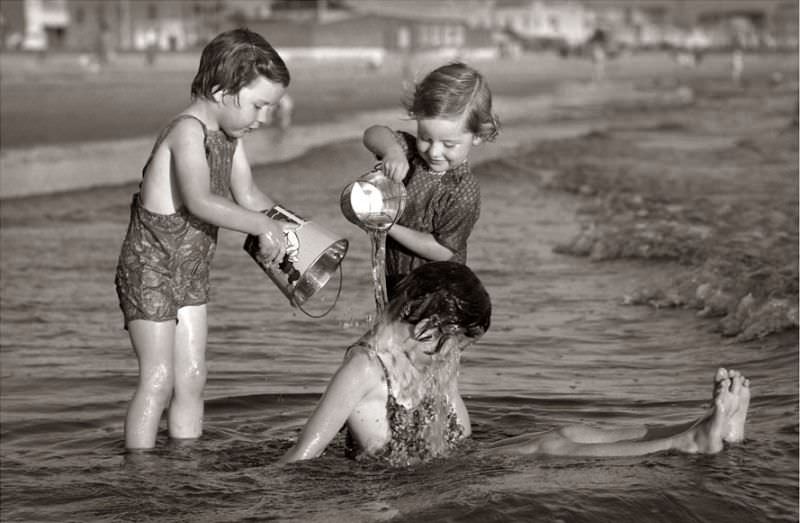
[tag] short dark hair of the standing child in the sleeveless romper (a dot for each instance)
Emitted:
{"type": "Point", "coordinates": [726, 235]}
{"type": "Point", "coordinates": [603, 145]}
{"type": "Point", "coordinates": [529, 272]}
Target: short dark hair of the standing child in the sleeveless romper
{"type": "Point", "coordinates": [235, 58]}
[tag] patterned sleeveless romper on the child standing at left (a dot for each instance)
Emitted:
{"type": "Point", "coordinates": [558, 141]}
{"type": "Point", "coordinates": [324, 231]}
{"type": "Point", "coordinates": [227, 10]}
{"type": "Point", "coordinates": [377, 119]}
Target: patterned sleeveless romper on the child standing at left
{"type": "Point", "coordinates": [165, 259]}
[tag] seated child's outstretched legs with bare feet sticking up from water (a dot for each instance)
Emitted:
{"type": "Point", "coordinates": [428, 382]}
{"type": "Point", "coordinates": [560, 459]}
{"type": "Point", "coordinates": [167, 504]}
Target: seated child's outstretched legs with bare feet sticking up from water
{"type": "Point", "coordinates": [726, 419]}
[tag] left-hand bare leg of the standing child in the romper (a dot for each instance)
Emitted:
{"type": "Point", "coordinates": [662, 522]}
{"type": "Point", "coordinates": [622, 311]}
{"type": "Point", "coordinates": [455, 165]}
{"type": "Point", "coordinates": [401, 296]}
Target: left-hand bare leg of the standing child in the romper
{"type": "Point", "coordinates": [153, 343]}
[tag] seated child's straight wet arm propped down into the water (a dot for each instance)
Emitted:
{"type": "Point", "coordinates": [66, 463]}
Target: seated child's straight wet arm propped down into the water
{"type": "Point", "coordinates": [356, 377]}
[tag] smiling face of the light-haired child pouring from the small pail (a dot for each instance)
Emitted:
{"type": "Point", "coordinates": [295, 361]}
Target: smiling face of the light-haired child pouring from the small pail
{"type": "Point", "coordinates": [444, 143]}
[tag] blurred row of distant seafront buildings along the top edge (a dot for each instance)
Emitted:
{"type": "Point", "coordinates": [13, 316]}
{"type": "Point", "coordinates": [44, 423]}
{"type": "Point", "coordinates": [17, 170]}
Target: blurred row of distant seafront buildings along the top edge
{"type": "Point", "coordinates": [394, 25]}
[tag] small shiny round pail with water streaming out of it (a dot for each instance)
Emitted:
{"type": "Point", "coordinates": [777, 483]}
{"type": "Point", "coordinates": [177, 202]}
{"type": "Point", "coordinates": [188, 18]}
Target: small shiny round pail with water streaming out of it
{"type": "Point", "coordinates": [373, 201]}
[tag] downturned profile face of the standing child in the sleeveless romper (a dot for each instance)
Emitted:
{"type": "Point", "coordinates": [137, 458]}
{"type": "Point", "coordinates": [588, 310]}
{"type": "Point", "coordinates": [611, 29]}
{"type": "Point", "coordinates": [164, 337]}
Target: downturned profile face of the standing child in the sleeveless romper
{"type": "Point", "coordinates": [255, 101]}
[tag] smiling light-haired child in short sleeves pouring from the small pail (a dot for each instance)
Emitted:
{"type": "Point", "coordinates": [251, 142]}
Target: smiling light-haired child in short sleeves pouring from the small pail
{"type": "Point", "coordinates": [452, 107]}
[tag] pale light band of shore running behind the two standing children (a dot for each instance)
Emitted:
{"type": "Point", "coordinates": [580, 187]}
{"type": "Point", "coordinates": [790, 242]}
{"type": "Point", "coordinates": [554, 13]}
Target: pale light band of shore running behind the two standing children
{"type": "Point", "coordinates": [56, 168]}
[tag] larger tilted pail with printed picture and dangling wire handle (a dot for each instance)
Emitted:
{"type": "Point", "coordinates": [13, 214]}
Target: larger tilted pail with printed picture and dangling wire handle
{"type": "Point", "coordinates": [320, 254]}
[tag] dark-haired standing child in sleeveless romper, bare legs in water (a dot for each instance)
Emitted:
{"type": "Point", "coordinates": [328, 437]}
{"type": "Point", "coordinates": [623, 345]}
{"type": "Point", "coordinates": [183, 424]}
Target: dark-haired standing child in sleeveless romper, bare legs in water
{"type": "Point", "coordinates": [197, 163]}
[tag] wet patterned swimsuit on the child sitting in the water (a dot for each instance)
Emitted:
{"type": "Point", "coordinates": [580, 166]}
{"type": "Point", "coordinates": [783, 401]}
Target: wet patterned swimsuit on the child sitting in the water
{"type": "Point", "coordinates": [408, 443]}
